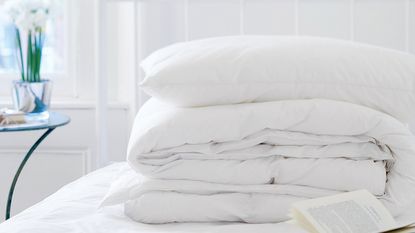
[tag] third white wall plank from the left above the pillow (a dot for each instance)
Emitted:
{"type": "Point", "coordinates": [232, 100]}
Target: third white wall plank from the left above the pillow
{"type": "Point", "coordinates": [269, 17]}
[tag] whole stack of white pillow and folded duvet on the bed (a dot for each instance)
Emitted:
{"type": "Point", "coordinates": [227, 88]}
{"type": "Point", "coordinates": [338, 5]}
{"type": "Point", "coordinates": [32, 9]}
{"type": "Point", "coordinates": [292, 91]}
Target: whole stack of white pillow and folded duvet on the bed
{"type": "Point", "coordinates": [248, 160]}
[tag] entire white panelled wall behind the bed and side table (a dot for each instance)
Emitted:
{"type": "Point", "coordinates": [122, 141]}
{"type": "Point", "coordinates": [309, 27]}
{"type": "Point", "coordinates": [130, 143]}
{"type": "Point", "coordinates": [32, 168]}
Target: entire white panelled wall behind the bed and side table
{"type": "Point", "coordinates": [71, 151]}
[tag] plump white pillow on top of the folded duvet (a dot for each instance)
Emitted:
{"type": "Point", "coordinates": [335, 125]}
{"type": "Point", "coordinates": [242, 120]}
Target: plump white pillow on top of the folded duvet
{"type": "Point", "coordinates": [241, 69]}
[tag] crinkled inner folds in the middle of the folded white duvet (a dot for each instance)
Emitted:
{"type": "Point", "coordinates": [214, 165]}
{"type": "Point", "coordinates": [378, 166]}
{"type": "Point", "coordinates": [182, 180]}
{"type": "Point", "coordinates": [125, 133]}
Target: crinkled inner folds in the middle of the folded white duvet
{"type": "Point", "coordinates": [235, 162]}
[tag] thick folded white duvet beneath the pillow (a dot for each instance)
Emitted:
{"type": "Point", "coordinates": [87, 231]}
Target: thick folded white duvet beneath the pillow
{"type": "Point", "coordinates": [187, 146]}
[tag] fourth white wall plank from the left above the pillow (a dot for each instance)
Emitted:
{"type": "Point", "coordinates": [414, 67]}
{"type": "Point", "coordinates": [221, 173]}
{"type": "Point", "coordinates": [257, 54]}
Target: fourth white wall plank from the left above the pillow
{"type": "Point", "coordinates": [328, 18]}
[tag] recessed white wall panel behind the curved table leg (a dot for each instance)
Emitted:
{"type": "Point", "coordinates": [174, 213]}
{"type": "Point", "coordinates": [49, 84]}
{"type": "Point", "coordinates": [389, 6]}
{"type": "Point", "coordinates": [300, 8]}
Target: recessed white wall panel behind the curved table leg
{"type": "Point", "coordinates": [46, 172]}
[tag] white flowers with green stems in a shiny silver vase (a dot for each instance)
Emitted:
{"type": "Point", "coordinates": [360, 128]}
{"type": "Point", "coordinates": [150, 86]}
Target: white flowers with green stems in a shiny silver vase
{"type": "Point", "coordinates": [32, 93]}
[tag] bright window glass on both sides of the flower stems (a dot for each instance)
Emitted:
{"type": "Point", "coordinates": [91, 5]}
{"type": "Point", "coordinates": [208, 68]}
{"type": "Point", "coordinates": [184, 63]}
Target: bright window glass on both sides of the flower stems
{"type": "Point", "coordinates": [54, 56]}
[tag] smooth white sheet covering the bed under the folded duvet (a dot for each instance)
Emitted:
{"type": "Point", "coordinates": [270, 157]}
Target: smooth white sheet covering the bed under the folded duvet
{"type": "Point", "coordinates": [74, 209]}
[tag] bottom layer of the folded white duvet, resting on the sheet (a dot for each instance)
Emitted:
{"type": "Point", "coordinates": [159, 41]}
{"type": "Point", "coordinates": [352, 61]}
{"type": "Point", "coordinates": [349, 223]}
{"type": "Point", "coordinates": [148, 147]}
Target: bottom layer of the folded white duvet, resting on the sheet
{"type": "Point", "coordinates": [192, 201]}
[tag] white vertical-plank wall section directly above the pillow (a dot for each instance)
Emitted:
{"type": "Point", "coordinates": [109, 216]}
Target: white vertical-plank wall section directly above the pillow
{"type": "Point", "coordinates": [387, 23]}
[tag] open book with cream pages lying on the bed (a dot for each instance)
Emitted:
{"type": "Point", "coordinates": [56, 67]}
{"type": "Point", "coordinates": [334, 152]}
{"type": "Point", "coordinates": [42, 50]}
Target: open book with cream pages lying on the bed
{"type": "Point", "coordinates": [351, 212]}
